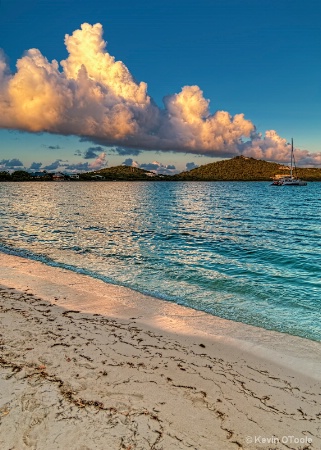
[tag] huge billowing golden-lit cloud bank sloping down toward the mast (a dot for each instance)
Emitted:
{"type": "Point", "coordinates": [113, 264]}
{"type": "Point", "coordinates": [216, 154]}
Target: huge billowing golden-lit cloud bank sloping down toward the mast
{"type": "Point", "coordinates": [93, 96]}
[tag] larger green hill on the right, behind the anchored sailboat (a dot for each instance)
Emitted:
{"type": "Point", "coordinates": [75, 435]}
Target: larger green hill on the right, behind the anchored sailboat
{"type": "Point", "coordinates": [242, 168]}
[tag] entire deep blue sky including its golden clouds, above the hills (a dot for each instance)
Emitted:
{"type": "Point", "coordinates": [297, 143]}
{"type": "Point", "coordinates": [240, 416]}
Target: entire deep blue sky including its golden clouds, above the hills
{"type": "Point", "coordinates": [163, 85]}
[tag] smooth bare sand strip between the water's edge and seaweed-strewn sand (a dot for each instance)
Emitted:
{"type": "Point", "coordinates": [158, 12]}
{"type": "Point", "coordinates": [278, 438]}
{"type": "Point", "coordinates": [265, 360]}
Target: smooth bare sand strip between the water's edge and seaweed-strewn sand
{"type": "Point", "coordinates": [162, 315]}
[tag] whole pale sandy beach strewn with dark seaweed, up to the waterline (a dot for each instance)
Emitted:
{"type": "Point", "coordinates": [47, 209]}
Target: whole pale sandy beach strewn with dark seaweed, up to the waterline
{"type": "Point", "coordinates": [86, 365]}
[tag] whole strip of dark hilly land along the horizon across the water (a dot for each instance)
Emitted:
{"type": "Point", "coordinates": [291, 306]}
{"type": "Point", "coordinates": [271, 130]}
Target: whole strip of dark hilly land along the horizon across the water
{"type": "Point", "coordinates": [239, 168]}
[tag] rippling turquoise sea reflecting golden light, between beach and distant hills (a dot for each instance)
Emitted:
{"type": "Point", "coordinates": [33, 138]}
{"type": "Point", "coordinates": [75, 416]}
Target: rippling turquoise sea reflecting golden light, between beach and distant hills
{"type": "Point", "coordinates": [249, 252]}
